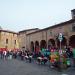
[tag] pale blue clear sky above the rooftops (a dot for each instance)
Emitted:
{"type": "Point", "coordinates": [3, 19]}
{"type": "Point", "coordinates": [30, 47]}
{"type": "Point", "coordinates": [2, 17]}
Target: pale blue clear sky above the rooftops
{"type": "Point", "coordinates": [17, 15]}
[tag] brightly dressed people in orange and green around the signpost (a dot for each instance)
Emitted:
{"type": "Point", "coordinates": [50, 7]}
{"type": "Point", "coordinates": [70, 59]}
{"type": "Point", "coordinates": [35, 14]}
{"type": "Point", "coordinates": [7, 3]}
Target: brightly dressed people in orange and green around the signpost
{"type": "Point", "coordinates": [63, 58]}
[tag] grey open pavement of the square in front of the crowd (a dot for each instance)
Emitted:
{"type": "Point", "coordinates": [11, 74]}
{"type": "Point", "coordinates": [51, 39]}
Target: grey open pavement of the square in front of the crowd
{"type": "Point", "coordinates": [17, 67]}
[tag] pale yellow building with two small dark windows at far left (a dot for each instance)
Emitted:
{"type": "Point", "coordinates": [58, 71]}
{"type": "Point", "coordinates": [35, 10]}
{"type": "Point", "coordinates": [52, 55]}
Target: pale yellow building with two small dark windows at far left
{"type": "Point", "coordinates": [8, 40]}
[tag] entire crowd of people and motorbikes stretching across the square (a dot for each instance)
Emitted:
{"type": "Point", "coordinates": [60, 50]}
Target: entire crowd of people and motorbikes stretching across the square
{"type": "Point", "coordinates": [64, 57]}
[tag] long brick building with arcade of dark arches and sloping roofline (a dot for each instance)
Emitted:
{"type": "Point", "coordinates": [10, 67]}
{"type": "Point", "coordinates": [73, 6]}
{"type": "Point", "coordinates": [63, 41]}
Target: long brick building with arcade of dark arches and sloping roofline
{"type": "Point", "coordinates": [48, 37]}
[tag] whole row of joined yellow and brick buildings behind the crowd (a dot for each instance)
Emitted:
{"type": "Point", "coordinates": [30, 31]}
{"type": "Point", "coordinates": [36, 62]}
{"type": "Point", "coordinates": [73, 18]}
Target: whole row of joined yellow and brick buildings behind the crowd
{"type": "Point", "coordinates": [36, 39]}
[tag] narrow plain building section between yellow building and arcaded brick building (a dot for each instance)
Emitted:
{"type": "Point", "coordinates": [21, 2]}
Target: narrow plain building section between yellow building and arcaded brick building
{"type": "Point", "coordinates": [22, 36]}
